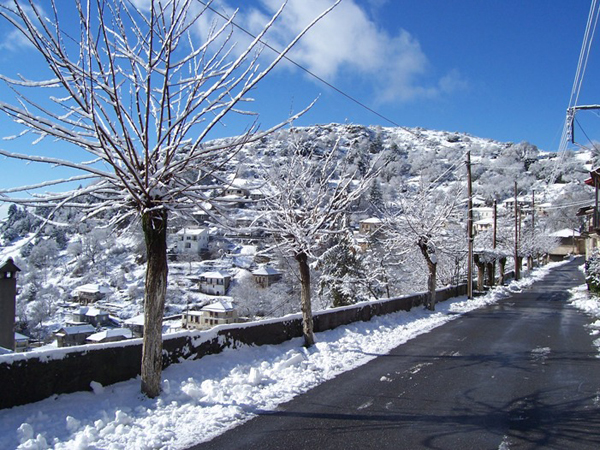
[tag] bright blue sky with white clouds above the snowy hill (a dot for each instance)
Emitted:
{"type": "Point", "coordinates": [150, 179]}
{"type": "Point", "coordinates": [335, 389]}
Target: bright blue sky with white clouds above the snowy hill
{"type": "Point", "coordinates": [494, 69]}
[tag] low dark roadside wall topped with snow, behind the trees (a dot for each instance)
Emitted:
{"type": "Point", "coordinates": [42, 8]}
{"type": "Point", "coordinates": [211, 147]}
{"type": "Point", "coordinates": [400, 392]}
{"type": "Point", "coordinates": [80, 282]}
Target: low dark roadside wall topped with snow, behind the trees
{"type": "Point", "coordinates": [30, 377]}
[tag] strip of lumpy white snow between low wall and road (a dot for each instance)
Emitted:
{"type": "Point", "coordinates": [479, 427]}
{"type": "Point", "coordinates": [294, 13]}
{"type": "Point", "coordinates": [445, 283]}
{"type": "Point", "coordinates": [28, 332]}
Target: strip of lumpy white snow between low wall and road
{"type": "Point", "coordinates": [202, 399]}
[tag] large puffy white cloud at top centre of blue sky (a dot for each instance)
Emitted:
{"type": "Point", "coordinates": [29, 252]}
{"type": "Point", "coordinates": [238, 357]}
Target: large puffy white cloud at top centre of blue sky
{"type": "Point", "coordinates": [348, 43]}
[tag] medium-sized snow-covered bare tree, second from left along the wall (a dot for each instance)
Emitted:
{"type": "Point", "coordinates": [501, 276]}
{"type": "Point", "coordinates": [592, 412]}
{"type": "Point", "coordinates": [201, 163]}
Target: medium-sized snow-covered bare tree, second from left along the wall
{"type": "Point", "coordinates": [310, 194]}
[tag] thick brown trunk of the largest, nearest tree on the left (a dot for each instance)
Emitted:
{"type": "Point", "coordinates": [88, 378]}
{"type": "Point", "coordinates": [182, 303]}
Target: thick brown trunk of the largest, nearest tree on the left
{"type": "Point", "coordinates": [154, 225]}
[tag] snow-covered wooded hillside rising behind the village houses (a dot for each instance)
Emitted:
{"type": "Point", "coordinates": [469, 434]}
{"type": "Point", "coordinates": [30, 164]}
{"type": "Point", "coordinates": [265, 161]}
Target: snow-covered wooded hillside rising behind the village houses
{"type": "Point", "coordinates": [68, 253]}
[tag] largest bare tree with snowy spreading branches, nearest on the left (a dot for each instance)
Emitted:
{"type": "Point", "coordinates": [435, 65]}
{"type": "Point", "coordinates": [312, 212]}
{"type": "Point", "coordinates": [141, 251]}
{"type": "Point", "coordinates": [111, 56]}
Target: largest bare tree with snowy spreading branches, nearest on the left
{"type": "Point", "coordinates": [135, 91]}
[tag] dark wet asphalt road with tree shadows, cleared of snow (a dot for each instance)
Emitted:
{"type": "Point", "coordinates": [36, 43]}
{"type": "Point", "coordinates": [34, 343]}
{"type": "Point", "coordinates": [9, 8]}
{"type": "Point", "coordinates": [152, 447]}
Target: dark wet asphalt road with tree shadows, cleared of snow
{"type": "Point", "coordinates": [520, 374]}
